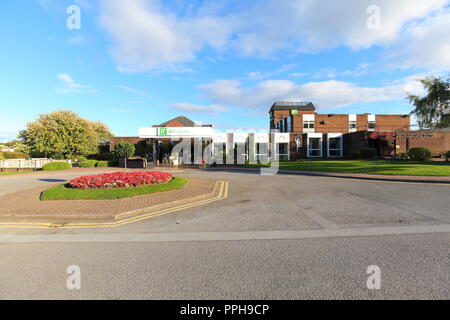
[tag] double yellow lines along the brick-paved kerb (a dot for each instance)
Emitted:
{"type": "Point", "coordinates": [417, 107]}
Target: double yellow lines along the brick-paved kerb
{"type": "Point", "coordinates": [223, 193]}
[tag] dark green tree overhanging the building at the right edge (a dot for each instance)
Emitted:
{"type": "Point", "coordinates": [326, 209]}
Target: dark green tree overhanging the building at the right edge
{"type": "Point", "coordinates": [433, 110]}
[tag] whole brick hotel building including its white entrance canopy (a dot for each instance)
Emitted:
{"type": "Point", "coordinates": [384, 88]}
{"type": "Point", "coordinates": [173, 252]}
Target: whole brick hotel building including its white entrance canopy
{"type": "Point", "coordinates": [297, 131]}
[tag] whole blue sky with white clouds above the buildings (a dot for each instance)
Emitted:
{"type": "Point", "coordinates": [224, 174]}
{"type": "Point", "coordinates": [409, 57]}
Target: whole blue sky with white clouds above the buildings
{"type": "Point", "coordinates": [136, 63]}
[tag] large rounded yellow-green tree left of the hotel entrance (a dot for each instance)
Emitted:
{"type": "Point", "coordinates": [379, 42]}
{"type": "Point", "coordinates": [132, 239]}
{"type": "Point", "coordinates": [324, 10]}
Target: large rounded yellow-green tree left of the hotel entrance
{"type": "Point", "coordinates": [62, 134]}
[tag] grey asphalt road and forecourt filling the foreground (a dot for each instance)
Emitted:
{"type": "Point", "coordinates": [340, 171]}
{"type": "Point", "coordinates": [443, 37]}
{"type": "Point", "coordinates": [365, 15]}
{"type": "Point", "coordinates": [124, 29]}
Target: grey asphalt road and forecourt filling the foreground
{"type": "Point", "coordinates": [274, 237]}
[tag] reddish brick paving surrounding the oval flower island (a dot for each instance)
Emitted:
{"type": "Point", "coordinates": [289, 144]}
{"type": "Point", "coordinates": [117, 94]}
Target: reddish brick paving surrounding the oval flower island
{"type": "Point", "coordinates": [27, 203]}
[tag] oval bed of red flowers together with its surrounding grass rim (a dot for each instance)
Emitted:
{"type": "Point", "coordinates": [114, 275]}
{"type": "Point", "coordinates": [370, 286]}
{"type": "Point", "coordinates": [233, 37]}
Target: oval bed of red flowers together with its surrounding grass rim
{"type": "Point", "coordinates": [115, 185]}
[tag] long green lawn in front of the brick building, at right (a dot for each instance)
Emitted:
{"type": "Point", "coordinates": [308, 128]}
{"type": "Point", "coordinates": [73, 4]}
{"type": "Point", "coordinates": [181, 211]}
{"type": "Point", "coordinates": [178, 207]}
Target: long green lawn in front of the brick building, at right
{"type": "Point", "coordinates": [368, 166]}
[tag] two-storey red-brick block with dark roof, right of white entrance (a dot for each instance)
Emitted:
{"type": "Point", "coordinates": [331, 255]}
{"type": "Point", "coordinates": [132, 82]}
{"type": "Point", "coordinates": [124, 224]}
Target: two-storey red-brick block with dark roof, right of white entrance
{"type": "Point", "coordinates": [315, 135]}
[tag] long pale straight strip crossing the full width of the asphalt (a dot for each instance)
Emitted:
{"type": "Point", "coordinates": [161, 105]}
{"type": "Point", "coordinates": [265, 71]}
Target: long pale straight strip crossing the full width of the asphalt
{"type": "Point", "coordinates": [225, 236]}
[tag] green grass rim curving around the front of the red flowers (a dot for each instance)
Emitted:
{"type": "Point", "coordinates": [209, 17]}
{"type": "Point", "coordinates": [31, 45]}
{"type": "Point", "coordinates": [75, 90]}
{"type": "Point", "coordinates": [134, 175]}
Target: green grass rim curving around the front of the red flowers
{"type": "Point", "coordinates": [62, 192]}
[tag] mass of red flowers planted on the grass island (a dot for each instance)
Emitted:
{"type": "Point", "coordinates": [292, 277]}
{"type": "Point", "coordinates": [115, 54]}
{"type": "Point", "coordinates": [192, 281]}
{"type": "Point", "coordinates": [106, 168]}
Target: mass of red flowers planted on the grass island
{"type": "Point", "coordinates": [120, 180]}
